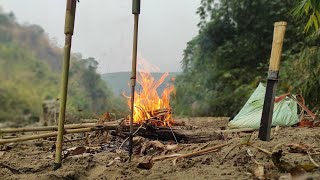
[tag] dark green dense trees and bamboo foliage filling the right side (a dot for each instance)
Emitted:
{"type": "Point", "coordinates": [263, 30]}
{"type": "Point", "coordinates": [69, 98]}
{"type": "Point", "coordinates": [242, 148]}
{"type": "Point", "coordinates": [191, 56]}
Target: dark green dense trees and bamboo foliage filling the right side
{"type": "Point", "coordinates": [224, 63]}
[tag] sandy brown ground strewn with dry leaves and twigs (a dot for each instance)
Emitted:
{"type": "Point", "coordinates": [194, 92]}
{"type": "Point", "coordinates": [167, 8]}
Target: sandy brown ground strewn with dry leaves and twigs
{"type": "Point", "coordinates": [30, 161]}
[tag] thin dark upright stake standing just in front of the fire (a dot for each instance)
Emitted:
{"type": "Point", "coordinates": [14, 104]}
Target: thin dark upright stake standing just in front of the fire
{"type": "Point", "coordinates": [135, 12]}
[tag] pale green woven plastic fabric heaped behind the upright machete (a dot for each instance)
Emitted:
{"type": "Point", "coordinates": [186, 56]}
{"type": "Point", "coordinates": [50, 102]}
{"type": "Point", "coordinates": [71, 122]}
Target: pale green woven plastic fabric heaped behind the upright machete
{"type": "Point", "coordinates": [284, 112]}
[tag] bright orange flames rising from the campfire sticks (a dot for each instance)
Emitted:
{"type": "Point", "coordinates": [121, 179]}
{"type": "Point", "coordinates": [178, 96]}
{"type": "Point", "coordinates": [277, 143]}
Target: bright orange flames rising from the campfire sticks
{"type": "Point", "coordinates": [148, 102]}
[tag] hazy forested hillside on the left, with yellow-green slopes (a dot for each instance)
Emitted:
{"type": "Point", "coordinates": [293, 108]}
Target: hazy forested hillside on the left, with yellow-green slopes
{"type": "Point", "coordinates": [30, 74]}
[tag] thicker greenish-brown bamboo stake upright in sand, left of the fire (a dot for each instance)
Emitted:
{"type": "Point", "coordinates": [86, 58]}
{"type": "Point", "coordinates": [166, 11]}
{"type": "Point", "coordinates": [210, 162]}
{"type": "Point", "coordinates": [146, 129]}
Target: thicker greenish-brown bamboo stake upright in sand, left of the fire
{"type": "Point", "coordinates": [68, 31]}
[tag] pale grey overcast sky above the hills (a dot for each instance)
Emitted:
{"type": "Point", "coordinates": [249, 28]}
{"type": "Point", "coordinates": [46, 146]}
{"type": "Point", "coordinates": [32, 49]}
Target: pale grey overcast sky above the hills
{"type": "Point", "coordinates": [104, 29]}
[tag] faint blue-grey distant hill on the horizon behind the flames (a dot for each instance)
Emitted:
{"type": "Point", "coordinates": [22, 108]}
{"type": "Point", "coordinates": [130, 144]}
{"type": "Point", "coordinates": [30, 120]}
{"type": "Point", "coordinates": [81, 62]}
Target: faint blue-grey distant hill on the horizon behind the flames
{"type": "Point", "coordinates": [119, 81]}
